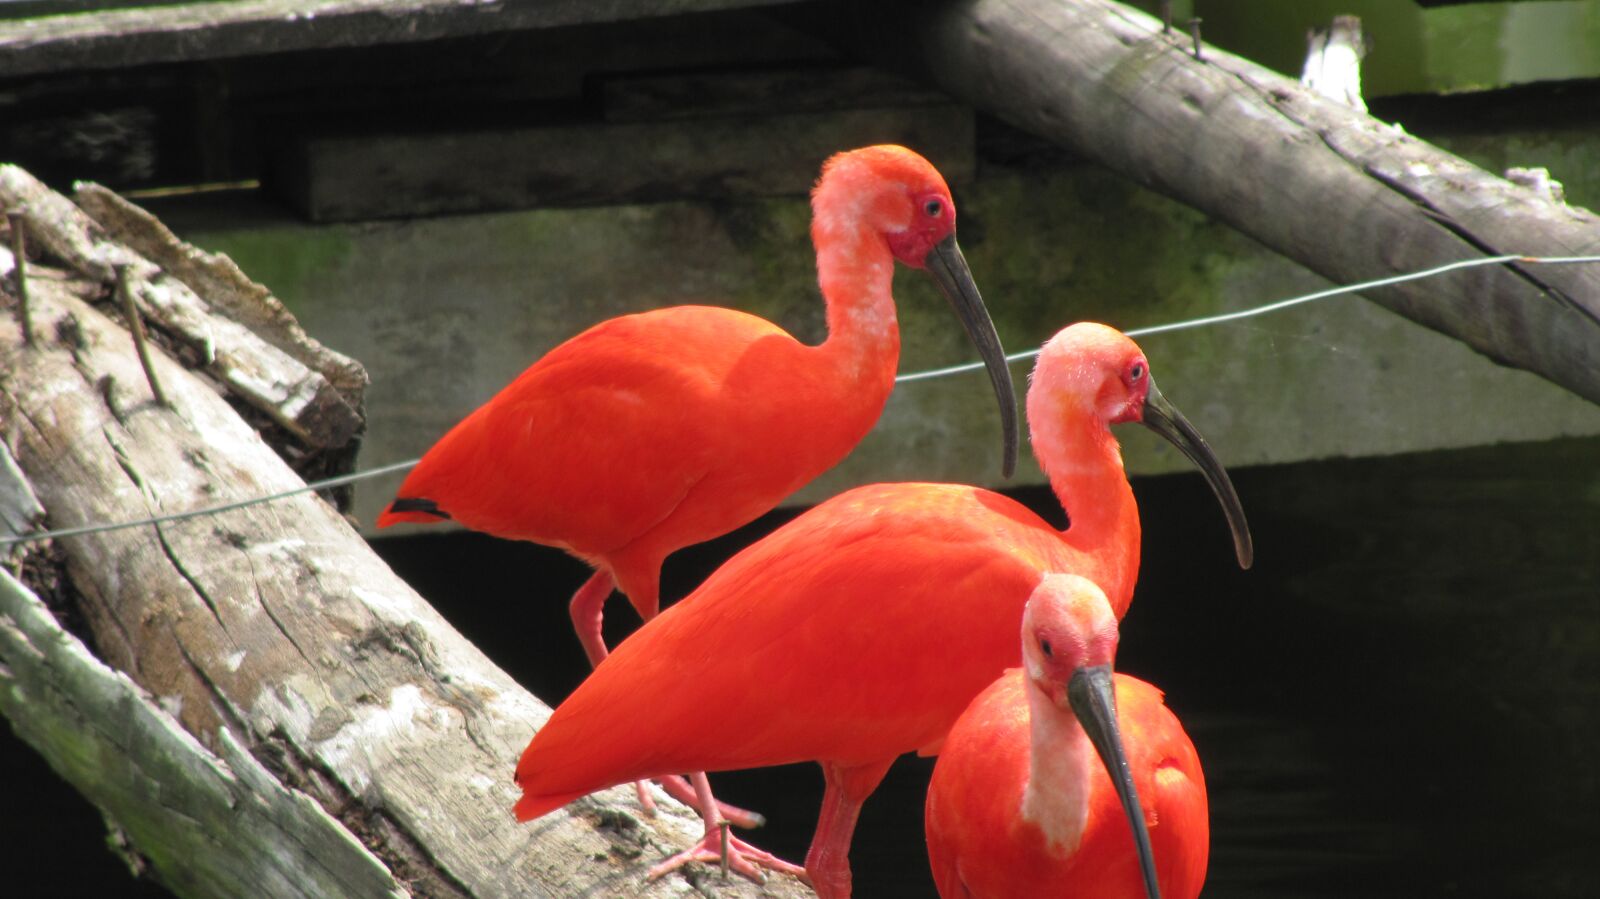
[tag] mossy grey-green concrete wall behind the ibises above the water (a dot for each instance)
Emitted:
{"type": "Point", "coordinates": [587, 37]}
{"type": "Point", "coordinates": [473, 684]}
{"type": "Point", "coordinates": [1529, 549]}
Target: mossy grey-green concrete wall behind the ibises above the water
{"type": "Point", "coordinates": [447, 311]}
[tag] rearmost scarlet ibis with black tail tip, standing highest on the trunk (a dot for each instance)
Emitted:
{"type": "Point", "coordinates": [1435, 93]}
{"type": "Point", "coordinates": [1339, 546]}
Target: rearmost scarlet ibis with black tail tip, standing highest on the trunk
{"type": "Point", "coordinates": [652, 433]}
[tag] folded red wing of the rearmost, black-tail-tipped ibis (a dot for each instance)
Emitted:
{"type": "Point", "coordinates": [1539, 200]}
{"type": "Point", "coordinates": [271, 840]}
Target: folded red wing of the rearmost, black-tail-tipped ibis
{"type": "Point", "coordinates": [601, 439]}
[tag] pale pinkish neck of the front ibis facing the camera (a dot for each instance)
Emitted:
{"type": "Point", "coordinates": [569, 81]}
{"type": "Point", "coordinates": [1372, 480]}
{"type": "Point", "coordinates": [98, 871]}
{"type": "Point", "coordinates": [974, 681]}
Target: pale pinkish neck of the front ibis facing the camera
{"type": "Point", "coordinates": [1060, 772]}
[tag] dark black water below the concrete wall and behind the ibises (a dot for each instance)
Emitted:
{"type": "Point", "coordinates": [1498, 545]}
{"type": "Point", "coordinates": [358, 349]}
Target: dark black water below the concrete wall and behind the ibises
{"type": "Point", "coordinates": [1401, 700]}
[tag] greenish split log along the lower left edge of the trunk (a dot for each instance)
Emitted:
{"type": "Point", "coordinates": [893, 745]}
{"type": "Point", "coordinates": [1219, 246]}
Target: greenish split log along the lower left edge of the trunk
{"type": "Point", "coordinates": [212, 823]}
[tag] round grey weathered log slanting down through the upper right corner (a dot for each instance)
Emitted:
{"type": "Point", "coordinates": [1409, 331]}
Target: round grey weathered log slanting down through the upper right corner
{"type": "Point", "coordinates": [1327, 186]}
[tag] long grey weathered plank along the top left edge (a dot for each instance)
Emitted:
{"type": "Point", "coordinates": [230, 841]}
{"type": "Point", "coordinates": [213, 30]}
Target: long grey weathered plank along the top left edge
{"type": "Point", "coordinates": [113, 39]}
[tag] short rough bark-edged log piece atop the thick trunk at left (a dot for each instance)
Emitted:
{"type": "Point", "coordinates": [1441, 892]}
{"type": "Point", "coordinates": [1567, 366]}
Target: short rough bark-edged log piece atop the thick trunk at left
{"type": "Point", "coordinates": [263, 375]}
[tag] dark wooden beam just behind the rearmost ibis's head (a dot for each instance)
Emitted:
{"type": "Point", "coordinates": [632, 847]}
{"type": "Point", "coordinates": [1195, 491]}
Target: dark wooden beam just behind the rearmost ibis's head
{"type": "Point", "coordinates": [350, 178]}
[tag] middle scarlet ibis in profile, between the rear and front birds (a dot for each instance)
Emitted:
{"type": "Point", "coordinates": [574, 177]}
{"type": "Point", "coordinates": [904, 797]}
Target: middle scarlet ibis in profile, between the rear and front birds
{"type": "Point", "coordinates": [863, 628]}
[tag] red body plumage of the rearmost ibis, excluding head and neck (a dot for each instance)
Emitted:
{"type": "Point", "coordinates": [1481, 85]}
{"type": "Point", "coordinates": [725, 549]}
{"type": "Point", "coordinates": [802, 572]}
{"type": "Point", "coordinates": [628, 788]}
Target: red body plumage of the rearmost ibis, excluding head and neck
{"type": "Point", "coordinates": [647, 434]}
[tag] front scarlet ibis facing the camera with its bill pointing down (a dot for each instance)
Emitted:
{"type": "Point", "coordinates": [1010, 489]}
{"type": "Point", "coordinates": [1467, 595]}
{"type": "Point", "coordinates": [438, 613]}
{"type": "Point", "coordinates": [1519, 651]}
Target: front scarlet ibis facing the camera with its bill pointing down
{"type": "Point", "coordinates": [1018, 805]}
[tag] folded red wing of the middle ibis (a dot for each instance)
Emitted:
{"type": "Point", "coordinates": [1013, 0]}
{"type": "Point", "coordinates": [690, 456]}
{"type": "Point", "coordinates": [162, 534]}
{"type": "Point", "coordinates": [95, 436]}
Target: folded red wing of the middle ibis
{"type": "Point", "coordinates": [854, 634]}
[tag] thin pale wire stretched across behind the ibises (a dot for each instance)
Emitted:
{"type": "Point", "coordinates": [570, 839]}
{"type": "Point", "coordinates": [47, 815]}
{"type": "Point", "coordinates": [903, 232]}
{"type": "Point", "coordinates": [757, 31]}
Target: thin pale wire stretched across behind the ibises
{"type": "Point", "coordinates": [1185, 326]}
